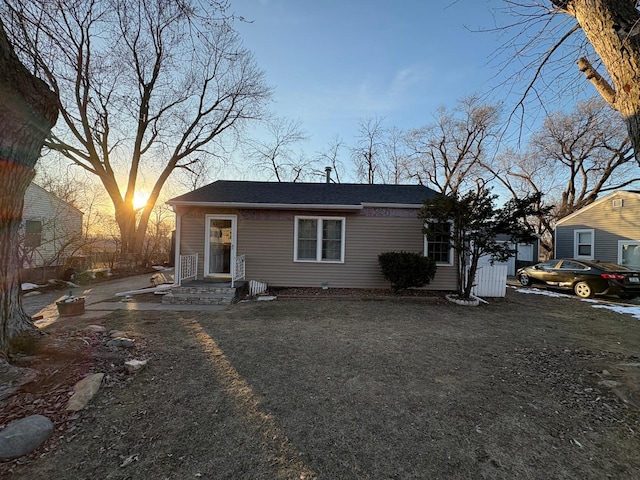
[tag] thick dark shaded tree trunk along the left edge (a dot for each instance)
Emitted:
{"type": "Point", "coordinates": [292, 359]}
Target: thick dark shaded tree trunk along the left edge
{"type": "Point", "coordinates": [28, 110]}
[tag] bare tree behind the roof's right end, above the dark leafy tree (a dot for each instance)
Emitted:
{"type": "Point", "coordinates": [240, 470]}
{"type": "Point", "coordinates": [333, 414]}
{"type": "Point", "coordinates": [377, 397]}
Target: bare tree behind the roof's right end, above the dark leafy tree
{"type": "Point", "coordinates": [448, 154]}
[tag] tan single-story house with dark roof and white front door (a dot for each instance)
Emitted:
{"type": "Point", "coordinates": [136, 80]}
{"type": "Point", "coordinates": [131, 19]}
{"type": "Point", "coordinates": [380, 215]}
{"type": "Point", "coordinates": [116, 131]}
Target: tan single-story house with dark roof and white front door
{"type": "Point", "coordinates": [305, 234]}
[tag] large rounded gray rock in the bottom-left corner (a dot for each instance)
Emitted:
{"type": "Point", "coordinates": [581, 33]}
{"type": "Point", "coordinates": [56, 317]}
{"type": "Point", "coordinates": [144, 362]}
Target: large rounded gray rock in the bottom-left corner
{"type": "Point", "coordinates": [24, 436]}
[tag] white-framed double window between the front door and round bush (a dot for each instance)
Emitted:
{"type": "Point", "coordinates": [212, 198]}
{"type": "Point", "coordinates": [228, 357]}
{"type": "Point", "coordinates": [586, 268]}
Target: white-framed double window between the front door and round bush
{"type": "Point", "coordinates": [319, 239]}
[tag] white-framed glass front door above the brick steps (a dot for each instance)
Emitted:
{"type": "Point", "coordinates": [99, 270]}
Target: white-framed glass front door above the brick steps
{"type": "Point", "coordinates": [219, 245]}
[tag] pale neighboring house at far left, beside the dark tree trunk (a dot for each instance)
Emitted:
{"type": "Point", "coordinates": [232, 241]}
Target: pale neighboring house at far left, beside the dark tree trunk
{"type": "Point", "coordinates": [51, 228]}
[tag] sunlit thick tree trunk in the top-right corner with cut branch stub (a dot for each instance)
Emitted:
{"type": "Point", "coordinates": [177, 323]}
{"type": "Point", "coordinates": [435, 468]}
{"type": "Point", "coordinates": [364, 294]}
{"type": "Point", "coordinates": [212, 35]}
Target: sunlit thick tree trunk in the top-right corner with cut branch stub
{"type": "Point", "coordinates": [613, 29]}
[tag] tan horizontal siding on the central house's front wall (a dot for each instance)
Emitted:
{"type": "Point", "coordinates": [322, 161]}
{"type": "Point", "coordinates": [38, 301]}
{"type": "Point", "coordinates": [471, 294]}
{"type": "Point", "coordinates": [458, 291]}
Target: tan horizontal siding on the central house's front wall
{"type": "Point", "coordinates": [267, 240]}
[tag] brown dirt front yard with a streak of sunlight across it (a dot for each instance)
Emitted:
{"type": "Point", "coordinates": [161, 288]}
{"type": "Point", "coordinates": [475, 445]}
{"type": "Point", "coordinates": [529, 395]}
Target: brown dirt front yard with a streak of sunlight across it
{"type": "Point", "coordinates": [526, 387]}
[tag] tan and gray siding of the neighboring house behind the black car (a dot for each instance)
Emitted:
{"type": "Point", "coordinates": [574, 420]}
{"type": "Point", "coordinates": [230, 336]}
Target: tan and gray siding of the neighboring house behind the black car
{"type": "Point", "coordinates": [610, 224]}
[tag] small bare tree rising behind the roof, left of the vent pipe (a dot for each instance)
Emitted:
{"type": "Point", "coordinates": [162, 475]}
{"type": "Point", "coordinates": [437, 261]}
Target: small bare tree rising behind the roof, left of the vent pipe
{"type": "Point", "coordinates": [274, 152]}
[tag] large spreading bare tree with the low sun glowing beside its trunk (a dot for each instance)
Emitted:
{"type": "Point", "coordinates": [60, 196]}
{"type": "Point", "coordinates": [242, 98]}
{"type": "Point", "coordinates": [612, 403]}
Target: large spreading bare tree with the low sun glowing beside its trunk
{"type": "Point", "coordinates": [145, 87]}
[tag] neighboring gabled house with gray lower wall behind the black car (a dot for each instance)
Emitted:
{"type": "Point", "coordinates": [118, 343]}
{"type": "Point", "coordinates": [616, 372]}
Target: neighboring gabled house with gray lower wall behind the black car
{"type": "Point", "coordinates": [607, 230]}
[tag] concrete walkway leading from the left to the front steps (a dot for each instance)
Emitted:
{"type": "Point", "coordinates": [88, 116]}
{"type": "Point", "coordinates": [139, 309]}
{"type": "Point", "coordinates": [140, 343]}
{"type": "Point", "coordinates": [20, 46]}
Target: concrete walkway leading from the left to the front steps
{"type": "Point", "coordinates": [101, 298]}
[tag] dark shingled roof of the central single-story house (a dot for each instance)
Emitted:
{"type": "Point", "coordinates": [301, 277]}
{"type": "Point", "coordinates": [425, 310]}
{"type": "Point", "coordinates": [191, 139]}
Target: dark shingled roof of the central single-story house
{"type": "Point", "coordinates": [284, 193]}
